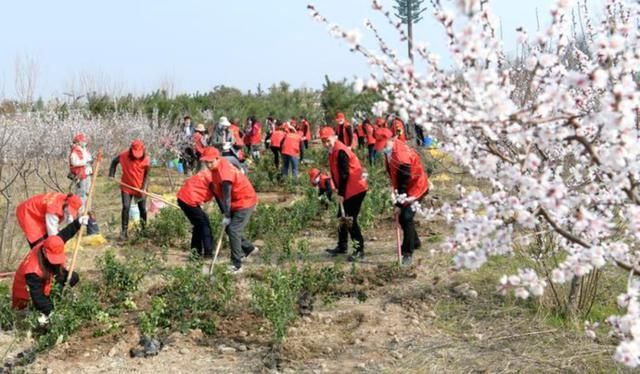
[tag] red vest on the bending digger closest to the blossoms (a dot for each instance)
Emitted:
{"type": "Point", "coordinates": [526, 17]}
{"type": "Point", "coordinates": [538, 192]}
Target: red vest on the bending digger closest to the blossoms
{"type": "Point", "coordinates": [402, 154]}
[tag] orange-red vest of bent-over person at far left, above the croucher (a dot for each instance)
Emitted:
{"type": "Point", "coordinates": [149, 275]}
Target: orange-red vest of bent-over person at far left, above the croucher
{"type": "Point", "coordinates": [31, 213]}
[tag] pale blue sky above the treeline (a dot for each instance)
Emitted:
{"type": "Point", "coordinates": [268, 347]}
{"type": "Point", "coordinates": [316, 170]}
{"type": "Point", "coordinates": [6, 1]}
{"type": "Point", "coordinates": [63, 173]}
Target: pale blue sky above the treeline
{"type": "Point", "coordinates": [135, 45]}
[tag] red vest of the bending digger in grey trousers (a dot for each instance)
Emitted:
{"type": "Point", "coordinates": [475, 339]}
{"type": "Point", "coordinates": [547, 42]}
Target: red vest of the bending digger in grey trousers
{"type": "Point", "coordinates": [242, 193]}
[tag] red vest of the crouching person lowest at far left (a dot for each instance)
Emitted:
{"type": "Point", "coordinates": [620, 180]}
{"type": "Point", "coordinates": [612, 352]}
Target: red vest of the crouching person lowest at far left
{"type": "Point", "coordinates": [20, 295]}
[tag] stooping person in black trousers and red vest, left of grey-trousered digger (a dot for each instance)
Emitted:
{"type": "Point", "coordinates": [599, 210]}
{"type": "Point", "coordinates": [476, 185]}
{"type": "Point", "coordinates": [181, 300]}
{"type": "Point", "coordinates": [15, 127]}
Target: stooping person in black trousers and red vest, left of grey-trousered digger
{"type": "Point", "coordinates": [194, 193]}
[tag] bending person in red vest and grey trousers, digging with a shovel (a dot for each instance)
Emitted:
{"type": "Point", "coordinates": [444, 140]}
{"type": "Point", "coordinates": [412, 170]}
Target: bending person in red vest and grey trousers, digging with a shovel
{"type": "Point", "coordinates": [237, 201]}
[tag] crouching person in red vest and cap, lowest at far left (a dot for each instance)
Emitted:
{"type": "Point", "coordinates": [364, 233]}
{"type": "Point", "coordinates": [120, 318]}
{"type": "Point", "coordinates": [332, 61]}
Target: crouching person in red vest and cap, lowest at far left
{"type": "Point", "coordinates": [43, 264]}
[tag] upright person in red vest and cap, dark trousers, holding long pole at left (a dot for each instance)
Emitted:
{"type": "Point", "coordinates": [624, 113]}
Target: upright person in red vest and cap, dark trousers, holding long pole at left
{"type": "Point", "coordinates": [135, 173]}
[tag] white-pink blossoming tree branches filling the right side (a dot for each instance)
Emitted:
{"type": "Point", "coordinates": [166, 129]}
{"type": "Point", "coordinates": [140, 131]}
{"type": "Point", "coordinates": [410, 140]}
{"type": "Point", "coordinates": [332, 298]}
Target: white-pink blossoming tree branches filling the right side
{"type": "Point", "coordinates": [555, 138]}
